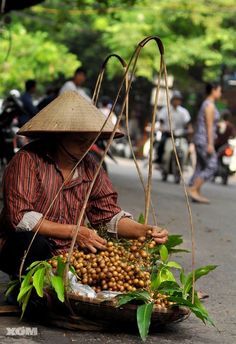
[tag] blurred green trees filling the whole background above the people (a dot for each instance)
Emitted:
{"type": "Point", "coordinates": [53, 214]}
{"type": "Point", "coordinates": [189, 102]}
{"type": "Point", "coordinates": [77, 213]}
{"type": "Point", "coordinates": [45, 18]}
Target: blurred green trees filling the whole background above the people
{"type": "Point", "coordinates": [47, 40]}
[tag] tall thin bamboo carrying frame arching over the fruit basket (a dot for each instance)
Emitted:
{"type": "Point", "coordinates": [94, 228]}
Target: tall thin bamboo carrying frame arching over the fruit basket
{"type": "Point", "coordinates": [133, 62]}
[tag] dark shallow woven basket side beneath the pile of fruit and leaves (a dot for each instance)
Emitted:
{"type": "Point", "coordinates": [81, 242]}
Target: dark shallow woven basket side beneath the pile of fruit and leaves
{"type": "Point", "coordinates": [94, 314]}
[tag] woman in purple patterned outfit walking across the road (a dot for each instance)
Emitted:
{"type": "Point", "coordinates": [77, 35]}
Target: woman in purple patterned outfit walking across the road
{"type": "Point", "coordinates": [204, 143]}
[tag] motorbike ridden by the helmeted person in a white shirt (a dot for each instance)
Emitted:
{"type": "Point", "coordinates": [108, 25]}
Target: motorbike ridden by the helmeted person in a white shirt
{"type": "Point", "coordinates": [169, 163]}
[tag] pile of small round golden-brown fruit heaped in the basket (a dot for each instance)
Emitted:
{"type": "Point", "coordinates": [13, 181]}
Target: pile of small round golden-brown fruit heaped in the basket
{"type": "Point", "coordinates": [123, 267]}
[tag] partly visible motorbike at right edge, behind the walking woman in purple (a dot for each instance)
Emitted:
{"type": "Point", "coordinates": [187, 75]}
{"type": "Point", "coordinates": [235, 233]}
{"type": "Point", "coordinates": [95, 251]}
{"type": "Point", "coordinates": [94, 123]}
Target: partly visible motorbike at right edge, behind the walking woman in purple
{"type": "Point", "coordinates": [226, 161]}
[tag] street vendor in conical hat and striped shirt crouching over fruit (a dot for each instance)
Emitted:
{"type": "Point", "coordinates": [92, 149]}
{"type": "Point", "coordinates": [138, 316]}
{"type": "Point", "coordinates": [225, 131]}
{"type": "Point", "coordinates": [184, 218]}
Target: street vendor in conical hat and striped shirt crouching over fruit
{"type": "Point", "coordinates": [61, 132]}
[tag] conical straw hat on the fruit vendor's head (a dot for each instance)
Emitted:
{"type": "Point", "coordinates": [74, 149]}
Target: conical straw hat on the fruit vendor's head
{"type": "Point", "coordinates": [70, 112]}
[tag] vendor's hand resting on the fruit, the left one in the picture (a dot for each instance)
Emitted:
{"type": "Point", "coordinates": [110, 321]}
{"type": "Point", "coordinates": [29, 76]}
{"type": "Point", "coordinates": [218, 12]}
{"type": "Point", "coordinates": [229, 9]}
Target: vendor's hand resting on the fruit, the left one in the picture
{"type": "Point", "coordinates": [88, 238]}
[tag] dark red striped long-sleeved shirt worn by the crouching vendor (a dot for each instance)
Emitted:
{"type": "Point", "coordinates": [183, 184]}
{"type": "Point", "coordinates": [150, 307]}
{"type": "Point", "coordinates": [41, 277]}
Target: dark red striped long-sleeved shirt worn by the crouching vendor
{"type": "Point", "coordinates": [30, 183]}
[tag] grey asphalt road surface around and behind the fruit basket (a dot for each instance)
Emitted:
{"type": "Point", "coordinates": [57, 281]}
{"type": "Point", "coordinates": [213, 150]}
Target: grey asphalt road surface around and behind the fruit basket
{"type": "Point", "coordinates": [215, 244]}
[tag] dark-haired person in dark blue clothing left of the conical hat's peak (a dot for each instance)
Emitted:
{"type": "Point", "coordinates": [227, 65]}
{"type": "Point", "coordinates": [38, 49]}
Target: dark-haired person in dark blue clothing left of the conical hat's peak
{"type": "Point", "coordinates": [29, 109]}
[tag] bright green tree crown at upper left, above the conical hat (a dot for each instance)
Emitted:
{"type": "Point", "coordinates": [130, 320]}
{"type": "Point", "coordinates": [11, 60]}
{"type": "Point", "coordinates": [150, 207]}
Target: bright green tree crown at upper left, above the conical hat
{"type": "Point", "coordinates": [32, 55]}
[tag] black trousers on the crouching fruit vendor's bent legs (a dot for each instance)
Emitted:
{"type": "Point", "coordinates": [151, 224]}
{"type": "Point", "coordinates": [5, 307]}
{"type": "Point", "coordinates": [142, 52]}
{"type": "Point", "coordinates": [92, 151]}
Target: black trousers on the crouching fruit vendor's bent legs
{"type": "Point", "coordinates": [14, 248]}
